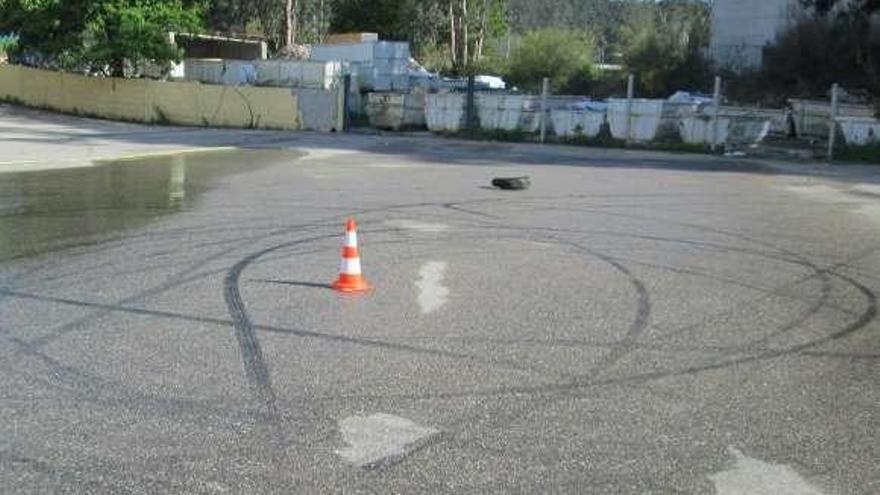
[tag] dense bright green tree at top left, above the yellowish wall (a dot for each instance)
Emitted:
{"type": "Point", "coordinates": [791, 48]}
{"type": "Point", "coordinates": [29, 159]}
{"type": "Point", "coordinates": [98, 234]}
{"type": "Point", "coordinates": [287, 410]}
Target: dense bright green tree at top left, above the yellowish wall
{"type": "Point", "coordinates": [100, 35]}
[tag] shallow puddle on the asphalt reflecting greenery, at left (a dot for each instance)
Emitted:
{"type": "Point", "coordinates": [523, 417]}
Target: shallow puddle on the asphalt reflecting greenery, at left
{"type": "Point", "coordinates": [46, 210]}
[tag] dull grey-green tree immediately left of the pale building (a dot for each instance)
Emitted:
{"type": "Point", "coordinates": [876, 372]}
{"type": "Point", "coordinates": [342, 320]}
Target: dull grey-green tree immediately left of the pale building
{"type": "Point", "coordinates": [663, 43]}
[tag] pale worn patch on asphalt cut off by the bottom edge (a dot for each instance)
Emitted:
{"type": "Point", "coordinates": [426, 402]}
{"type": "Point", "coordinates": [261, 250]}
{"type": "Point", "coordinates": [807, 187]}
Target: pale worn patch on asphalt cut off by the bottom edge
{"type": "Point", "coordinates": [755, 477]}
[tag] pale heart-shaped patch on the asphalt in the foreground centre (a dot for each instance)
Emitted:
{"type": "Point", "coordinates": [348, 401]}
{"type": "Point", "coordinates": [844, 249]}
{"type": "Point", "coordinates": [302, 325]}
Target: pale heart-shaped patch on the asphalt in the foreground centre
{"type": "Point", "coordinates": [380, 438]}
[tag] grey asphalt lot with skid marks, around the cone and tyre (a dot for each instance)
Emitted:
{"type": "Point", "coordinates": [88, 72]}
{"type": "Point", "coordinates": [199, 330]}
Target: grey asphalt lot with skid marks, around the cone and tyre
{"type": "Point", "coordinates": [633, 323]}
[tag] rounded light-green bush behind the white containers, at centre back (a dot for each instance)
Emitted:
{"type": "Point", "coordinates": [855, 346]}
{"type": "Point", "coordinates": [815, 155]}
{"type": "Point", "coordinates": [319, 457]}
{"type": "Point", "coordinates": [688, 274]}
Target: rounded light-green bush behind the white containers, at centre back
{"type": "Point", "coordinates": [559, 54]}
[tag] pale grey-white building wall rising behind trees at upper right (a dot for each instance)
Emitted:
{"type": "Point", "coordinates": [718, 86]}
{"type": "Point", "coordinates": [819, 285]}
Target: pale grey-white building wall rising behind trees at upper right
{"type": "Point", "coordinates": [742, 28]}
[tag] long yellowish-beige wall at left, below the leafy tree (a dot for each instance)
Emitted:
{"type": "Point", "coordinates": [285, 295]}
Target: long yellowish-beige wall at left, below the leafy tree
{"type": "Point", "coordinates": [147, 101]}
